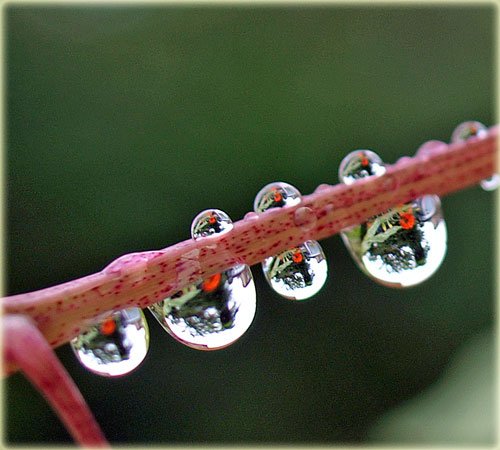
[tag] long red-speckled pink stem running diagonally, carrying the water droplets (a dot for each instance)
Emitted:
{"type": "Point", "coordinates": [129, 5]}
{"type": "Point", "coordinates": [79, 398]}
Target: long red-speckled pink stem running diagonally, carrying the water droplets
{"type": "Point", "coordinates": [61, 312]}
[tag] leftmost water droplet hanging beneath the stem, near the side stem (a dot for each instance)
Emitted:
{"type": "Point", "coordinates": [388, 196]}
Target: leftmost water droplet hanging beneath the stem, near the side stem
{"type": "Point", "coordinates": [114, 346]}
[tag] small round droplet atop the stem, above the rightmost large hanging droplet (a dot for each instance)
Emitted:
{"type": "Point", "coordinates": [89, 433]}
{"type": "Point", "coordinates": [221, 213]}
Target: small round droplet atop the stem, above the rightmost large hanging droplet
{"type": "Point", "coordinates": [360, 164]}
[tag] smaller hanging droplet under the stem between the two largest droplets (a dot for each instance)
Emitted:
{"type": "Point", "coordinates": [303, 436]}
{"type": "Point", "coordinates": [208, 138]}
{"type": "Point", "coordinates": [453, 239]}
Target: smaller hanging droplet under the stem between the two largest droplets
{"type": "Point", "coordinates": [297, 273]}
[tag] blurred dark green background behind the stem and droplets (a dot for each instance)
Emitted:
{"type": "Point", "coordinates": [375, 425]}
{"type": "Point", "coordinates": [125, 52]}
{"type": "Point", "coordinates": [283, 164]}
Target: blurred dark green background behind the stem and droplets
{"type": "Point", "coordinates": [123, 122]}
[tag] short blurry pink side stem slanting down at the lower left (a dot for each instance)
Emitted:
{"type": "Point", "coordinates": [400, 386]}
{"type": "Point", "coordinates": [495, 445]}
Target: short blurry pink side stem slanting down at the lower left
{"type": "Point", "coordinates": [26, 347]}
